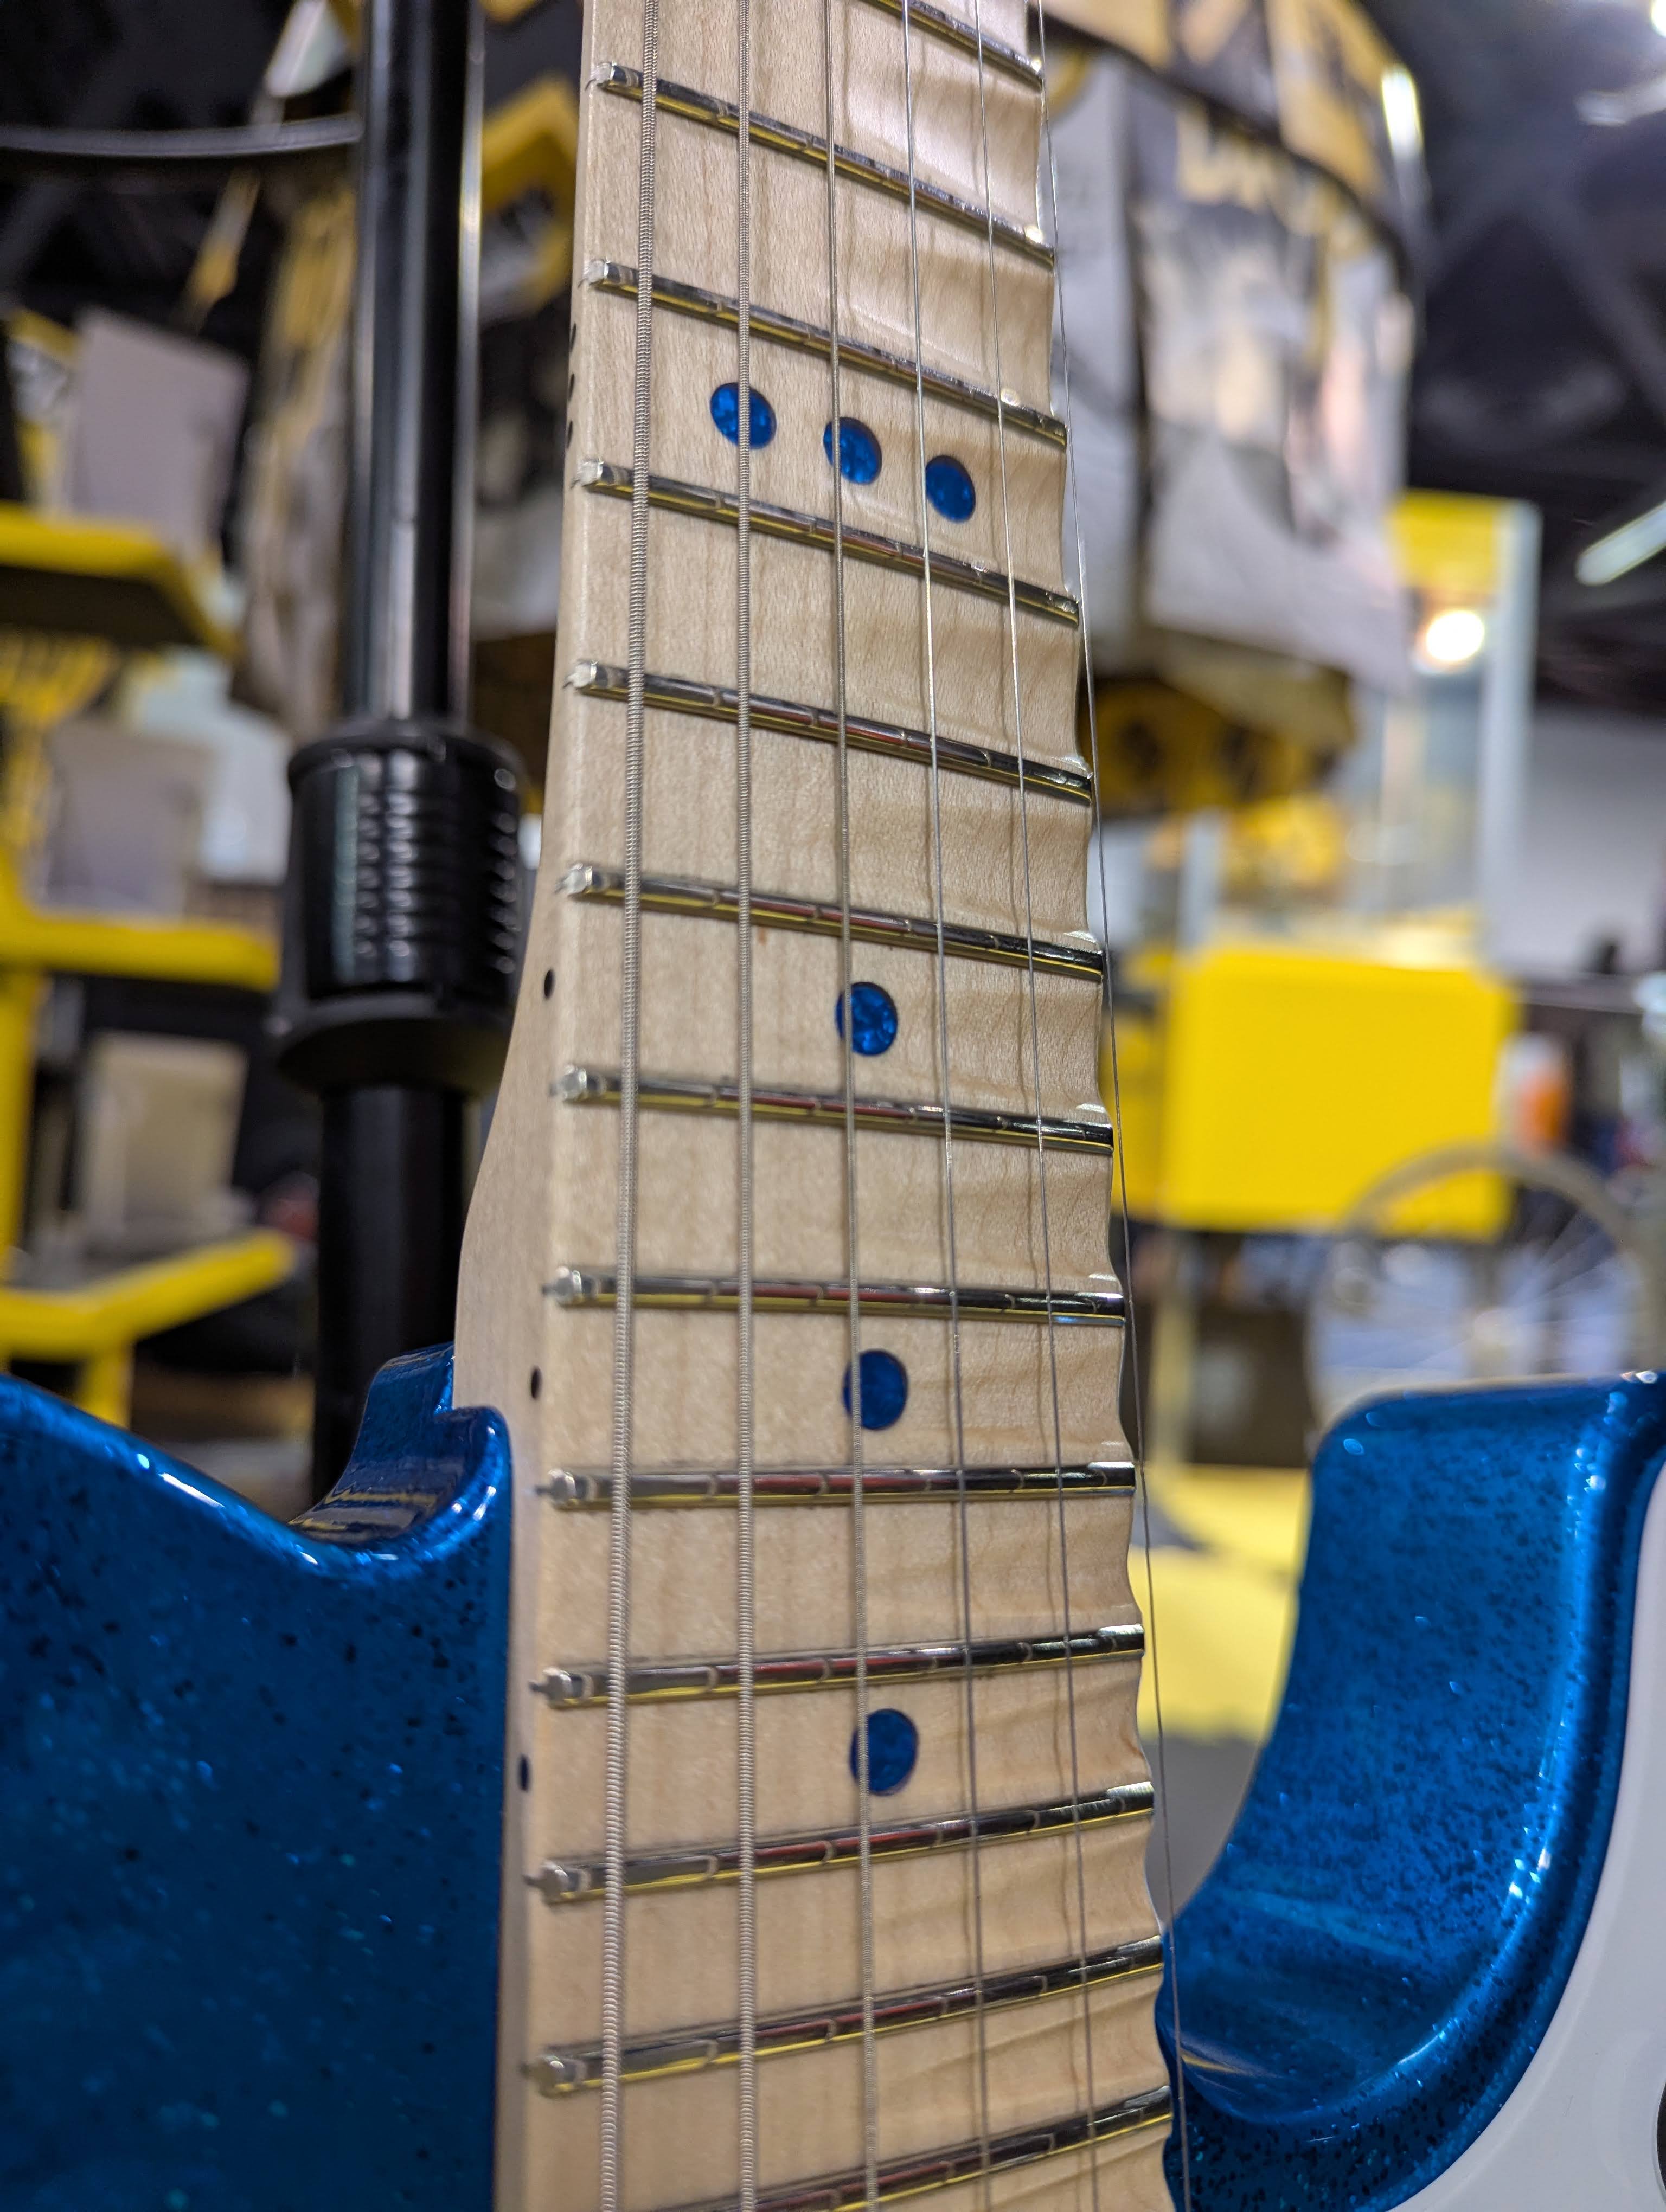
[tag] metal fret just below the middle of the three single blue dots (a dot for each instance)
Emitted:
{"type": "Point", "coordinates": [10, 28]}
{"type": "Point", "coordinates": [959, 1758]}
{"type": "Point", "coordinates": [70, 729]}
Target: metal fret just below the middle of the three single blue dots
{"type": "Point", "coordinates": [592, 1488]}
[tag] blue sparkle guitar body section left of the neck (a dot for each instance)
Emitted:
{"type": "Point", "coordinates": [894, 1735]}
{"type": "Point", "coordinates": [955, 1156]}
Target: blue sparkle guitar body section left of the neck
{"type": "Point", "coordinates": [251, 1806]}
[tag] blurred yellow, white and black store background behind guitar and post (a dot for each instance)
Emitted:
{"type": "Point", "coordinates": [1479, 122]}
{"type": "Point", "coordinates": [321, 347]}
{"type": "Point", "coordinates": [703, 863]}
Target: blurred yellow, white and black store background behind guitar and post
{"type": "Point", "coordinates": [1364, 344]}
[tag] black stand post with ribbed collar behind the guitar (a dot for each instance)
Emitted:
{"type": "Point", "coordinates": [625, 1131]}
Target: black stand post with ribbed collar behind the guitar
{"type": "Point", "coordinates": [404, 899]}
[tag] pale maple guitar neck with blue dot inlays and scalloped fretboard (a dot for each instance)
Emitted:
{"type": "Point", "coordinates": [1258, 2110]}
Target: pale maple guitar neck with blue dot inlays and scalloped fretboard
{"type": "Point", "coordinates": [866, 1485]}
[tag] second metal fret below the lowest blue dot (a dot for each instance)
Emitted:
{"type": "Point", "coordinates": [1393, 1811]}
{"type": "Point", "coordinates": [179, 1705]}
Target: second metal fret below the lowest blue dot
{"type": "Point", "coordinates": [572, 2067]}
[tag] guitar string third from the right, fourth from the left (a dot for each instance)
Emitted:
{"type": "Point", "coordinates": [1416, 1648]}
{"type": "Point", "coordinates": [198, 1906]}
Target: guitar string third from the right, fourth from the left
{"type": "Point", "coordinates": [946, 1083]}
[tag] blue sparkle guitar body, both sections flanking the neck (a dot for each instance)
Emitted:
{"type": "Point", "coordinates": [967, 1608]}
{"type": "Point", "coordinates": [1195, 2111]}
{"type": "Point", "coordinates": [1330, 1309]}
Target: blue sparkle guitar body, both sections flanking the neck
{"type": "Point", "coordinates": [253, 1780]}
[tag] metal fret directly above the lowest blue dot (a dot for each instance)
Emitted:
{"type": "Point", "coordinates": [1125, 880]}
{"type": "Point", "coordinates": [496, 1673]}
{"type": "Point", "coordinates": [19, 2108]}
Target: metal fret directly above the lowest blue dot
{"type": "Point", "coordinates": [656, 1682]}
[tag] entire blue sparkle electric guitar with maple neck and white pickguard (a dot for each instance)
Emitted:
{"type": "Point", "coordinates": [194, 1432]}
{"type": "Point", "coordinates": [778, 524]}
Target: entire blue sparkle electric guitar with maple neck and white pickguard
{"type": "Point", "coordinates": [691, 1757]}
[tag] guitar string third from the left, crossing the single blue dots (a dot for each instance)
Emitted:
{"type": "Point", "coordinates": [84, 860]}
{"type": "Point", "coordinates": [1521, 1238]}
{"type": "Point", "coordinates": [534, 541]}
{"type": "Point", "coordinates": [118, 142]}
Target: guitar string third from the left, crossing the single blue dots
{"type": "Point", "coordinates": [853, 1304]}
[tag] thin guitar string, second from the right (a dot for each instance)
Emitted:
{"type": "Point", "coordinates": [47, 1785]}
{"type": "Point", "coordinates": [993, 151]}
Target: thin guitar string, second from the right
{"type": "Point", "coordinates": [1037, 1085]}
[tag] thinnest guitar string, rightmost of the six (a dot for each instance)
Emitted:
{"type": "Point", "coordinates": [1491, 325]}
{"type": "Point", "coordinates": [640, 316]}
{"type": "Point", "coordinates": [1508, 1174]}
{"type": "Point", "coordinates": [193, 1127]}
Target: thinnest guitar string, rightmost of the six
{"type": "Point", "coordinates": [1132, 1355]}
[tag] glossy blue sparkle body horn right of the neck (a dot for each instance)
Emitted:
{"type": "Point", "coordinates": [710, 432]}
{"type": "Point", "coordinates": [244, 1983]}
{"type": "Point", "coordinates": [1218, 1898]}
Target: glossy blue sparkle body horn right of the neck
{"type": "Point", "coordinates": [1391, 1928]}
